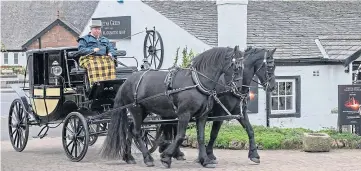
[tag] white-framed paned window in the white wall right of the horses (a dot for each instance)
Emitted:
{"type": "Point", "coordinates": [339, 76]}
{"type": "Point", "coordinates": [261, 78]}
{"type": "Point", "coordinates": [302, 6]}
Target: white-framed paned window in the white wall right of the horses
{"type": "Point", "coordinates": [283, 98]}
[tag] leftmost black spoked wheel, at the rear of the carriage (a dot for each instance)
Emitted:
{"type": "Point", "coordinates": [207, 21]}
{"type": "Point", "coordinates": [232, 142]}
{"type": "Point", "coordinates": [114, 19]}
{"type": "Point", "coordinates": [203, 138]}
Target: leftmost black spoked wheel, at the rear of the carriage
{"type": "Point", "coordinates": [18, 126]}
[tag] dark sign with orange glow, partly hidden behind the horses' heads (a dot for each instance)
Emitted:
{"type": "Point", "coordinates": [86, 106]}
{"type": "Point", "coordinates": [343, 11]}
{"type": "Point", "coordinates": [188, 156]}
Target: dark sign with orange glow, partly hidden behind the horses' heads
{"type": "Point", "coordinates": [252, 106]}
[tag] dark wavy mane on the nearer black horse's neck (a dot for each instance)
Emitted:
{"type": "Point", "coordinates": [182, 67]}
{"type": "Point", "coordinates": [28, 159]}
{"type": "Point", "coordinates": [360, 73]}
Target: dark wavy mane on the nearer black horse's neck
{"type": "Point", "coordinates": [211, 57]}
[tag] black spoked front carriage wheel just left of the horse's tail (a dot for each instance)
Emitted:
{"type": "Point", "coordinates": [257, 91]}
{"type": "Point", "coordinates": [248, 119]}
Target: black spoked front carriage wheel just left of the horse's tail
{"type": "Point", "coordinates": [75, 136]}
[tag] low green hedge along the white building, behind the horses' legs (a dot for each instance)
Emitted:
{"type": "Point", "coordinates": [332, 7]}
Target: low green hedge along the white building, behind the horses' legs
{"type": "Point", "coordinates": [234, 136]}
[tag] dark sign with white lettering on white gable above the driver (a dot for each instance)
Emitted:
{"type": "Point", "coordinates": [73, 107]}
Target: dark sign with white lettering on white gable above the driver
{"type": "Point", "coordinates": [116, 27]}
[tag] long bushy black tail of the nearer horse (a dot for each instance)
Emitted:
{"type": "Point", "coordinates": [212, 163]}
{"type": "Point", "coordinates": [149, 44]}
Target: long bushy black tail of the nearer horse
{"type": "Point", "coordinates": [115, 142]}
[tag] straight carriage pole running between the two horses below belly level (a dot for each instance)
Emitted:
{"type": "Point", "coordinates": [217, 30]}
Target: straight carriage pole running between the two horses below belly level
{"type": "Point", "coordinates": [175, 121]}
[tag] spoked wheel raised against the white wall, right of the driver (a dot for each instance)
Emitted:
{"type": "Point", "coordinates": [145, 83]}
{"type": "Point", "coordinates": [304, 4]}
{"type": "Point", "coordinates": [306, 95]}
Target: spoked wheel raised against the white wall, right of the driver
{"type": "Point", "coordinates": [153, 49]}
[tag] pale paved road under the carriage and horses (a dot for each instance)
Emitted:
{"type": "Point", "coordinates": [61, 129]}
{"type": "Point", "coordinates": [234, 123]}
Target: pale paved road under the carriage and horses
{"type": "Point", "coordinates": [47, 154]}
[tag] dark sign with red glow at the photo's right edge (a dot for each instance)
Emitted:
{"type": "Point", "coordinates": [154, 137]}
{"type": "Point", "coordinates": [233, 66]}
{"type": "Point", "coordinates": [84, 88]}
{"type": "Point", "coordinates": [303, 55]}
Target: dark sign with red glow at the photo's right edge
{"type": "Point", "coordinates": [349, 99]}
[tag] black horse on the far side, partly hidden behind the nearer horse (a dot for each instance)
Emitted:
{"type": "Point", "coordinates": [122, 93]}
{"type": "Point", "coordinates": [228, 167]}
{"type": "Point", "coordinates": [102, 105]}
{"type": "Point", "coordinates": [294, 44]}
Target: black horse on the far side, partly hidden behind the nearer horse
{"type": "Point", "coordinates": [258, 62]}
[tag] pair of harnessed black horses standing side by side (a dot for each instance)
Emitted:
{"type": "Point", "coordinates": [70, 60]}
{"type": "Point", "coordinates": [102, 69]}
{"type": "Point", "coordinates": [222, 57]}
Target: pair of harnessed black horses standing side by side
{"type": "Point", "coordinates": [221, 72]}
